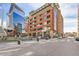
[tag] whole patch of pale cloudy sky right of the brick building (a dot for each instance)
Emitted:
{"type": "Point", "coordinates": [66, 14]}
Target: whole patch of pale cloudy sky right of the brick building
{"type": "Point", "coordinates": [69, 12]}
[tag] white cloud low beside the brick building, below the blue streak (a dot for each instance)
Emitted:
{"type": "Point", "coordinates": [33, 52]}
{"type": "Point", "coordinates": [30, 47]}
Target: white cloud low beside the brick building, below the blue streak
{"type": "Point", "coordinates": [70, 25]}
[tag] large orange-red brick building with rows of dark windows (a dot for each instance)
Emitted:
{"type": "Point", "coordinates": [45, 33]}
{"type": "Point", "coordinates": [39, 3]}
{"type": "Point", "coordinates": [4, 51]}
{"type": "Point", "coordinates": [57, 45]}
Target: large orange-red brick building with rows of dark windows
{"type": "Point", "coordinates": [45, 20]}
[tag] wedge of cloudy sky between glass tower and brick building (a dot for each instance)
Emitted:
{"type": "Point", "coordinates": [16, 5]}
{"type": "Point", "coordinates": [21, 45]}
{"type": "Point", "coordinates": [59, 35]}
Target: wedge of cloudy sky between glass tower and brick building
{"type": "Point", "coordinates": [28, 7]}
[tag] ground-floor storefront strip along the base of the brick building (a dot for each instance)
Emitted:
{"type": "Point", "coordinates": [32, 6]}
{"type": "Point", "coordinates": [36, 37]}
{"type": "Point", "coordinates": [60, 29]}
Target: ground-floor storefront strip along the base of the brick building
{"type": "Point", "coordinates": [45, 33]}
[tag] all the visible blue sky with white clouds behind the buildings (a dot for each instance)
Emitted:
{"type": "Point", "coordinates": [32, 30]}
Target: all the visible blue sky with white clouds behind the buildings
{"type": "Point", "coordinates": [68, 10]}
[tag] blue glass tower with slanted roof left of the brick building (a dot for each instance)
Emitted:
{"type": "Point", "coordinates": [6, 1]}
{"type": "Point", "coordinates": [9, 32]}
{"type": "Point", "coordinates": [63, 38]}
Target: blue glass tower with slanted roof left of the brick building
{"type": "Point", "coordinates": [16, 16]}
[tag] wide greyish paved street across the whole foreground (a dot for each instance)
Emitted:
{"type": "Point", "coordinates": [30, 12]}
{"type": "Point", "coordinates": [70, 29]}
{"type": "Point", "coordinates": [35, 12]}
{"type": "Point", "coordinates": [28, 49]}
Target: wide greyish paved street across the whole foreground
{"type": "Point", "coordinates": [52, 47]}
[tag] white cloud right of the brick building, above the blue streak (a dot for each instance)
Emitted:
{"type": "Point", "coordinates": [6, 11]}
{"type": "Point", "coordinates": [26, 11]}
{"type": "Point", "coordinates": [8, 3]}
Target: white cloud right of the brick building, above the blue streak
{"type": "Point", "coordinates": [69, 10]}
